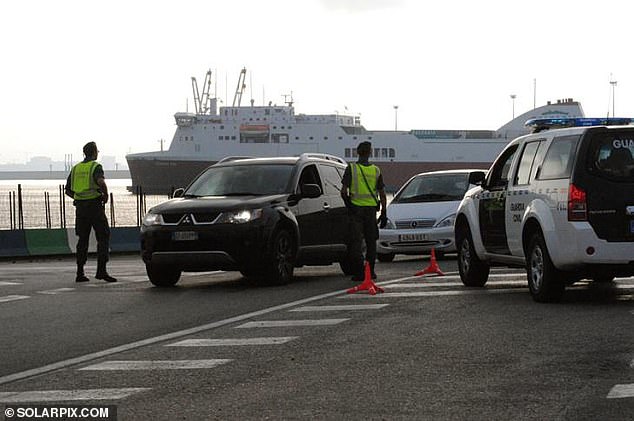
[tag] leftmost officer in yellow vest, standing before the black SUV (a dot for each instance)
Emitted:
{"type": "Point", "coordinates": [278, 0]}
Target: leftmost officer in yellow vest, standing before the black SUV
{"type": "Point", "coordinates": [87, 186]}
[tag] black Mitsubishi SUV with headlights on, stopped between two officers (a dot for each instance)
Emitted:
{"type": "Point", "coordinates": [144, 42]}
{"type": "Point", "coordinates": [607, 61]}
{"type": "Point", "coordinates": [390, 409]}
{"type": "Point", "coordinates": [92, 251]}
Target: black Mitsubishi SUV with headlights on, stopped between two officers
{"type": "Point", "coordinates": [261, 216]}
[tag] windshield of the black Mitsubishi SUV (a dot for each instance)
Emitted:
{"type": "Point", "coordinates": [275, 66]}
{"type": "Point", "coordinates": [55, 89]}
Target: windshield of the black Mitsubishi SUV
{"type": "Point", "coordinates": [242, 180]}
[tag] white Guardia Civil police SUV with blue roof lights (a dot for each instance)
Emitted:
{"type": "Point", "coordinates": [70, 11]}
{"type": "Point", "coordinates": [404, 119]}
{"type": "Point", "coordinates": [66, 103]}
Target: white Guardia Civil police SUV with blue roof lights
{"type": "Point", "coordinates": [559, 201]}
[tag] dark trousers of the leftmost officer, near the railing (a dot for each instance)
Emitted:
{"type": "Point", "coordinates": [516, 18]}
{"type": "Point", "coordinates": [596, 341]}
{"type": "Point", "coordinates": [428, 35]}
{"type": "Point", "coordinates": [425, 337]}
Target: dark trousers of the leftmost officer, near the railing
{"type": "Point", "coordinates": [91, 214]}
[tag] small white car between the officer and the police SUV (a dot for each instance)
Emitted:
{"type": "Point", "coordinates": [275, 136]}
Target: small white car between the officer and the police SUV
{"type": "Point", "coordinates": [421, 215]}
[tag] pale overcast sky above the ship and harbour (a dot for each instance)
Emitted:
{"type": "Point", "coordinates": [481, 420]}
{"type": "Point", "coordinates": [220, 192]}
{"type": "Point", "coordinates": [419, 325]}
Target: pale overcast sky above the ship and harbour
{"type": "Point", "coordinates": [115, 72]}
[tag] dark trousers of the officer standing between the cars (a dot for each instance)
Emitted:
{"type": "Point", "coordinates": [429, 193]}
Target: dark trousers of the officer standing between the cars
{"type": "Point", "coordinates": [363, 227]}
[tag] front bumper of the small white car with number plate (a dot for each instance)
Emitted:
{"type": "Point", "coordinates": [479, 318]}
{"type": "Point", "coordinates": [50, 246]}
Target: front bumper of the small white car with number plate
{"type": "Point", "coordinates": [416, 241]}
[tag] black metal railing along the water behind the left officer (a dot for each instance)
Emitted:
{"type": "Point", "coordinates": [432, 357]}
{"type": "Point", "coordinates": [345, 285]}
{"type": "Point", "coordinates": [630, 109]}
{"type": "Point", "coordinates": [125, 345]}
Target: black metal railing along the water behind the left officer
{"type": "Point", "coordinates": [23, 209]}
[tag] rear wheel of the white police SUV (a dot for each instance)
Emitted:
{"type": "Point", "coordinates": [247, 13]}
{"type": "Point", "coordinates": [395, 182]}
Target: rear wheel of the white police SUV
{"type": "Point", "coordinates": [545, 281]}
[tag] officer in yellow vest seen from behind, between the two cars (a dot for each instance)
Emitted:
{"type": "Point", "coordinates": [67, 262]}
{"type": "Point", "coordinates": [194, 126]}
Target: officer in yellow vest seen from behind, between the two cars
{"type": "Point", "coordinates": [363, 192]}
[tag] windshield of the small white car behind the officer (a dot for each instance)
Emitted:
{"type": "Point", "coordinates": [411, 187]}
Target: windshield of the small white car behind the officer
{"type": "Point", "coordinates": [434, 188]}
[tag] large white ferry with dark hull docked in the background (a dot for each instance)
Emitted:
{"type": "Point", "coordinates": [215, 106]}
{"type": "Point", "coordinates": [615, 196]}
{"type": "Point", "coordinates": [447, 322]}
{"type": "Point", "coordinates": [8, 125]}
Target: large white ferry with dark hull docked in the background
{"type": "Point", "coordinates": [212, 133]}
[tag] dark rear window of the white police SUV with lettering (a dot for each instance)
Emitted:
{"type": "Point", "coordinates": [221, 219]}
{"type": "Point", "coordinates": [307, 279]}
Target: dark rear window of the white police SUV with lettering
{"type": "Point", "coordinates": [610, 155]}
